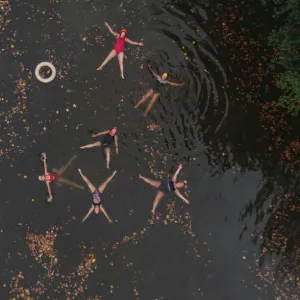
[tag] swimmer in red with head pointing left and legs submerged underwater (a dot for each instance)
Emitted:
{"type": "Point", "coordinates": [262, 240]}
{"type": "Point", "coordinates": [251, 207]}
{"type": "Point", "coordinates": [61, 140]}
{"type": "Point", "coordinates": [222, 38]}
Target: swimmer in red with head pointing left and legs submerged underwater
{"type": "Point", "coordinates": [50, 177]}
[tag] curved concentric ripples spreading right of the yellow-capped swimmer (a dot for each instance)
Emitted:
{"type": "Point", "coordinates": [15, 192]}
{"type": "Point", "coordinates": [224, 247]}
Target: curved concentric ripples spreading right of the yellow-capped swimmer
{"type": "Point", "coordinates": [183, 49]}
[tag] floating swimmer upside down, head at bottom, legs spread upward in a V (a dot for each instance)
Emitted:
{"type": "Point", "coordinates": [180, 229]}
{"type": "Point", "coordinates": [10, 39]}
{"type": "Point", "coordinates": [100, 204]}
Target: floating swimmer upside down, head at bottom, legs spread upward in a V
{"type": "Point", "coordinates": [97, 196]}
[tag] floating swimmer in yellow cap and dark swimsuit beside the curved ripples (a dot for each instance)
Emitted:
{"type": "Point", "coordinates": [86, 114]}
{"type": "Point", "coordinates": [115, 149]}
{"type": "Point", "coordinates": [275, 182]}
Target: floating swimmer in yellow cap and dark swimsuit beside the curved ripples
{"type": "Point", "coordinates": [159, 84]}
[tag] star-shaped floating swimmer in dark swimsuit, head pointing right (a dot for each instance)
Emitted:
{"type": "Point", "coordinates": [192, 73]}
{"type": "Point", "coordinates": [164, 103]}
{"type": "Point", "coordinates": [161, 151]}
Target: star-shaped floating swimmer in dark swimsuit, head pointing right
{"type": "Point", "coordinates": [165, 187]}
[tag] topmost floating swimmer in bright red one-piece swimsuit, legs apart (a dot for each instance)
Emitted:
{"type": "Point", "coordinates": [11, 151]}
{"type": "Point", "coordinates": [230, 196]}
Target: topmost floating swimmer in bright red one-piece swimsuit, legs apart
{"type": "Point", "coordinates": [119, 48]}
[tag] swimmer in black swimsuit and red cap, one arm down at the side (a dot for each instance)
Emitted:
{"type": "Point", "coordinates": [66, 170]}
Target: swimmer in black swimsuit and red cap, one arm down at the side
{"type": "Point", "coordinates": [106, 138]}
